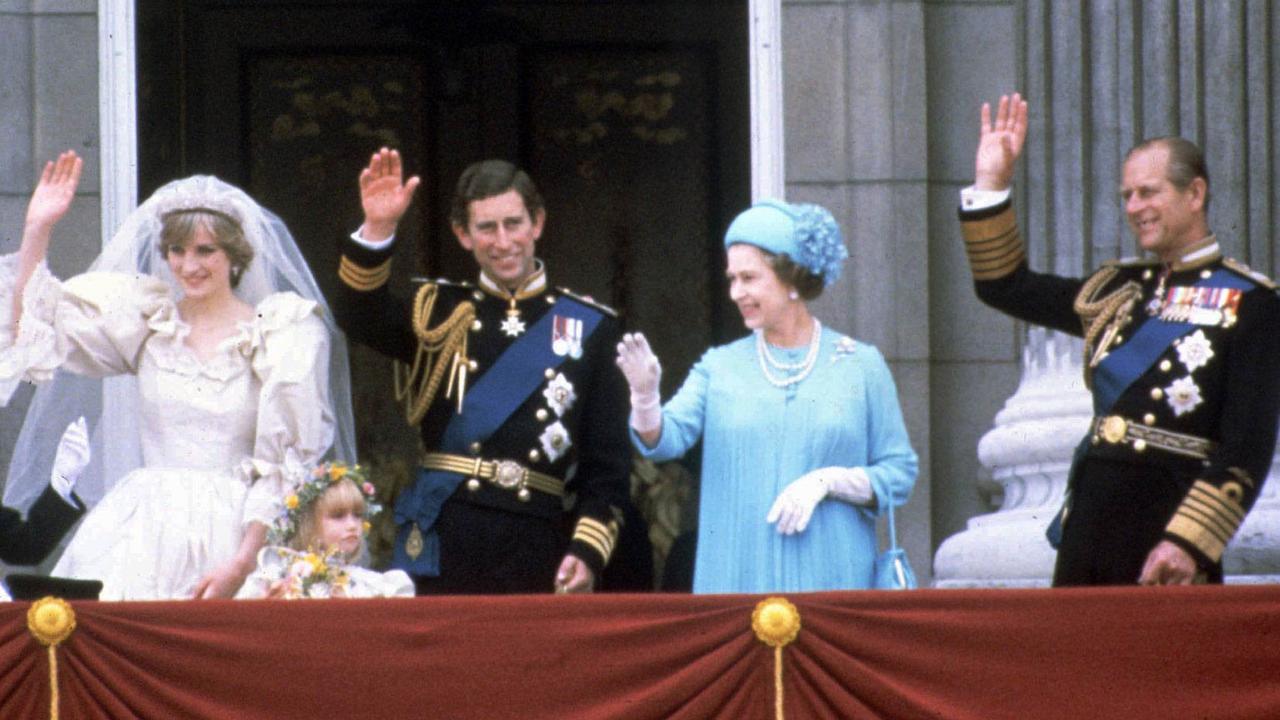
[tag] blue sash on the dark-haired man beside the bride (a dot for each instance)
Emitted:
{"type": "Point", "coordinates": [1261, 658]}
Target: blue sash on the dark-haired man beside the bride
{"type": "Point", "coordinates": [488, 405]}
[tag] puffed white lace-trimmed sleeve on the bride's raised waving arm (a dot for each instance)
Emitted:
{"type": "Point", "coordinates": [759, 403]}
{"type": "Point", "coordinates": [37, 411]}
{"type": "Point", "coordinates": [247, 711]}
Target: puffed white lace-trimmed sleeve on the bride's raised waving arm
{"type": "Point", "coordinates": [93, 325]}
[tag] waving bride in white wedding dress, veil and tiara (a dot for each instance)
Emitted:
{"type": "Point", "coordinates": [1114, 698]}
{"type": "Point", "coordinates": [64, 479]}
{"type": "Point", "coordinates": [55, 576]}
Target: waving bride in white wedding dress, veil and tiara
{"type": "Point", "coordinates": [226, 380]}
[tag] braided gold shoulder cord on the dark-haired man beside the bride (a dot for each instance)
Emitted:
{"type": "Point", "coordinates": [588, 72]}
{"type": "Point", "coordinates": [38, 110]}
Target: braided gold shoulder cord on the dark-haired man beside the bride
{"type": "Point", "coordinates": [419, 384]}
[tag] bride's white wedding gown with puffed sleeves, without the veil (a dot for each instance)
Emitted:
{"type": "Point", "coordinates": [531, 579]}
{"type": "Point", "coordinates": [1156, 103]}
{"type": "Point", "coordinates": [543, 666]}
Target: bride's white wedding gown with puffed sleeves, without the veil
{"type": "Point", "coordinates": [221, 438]}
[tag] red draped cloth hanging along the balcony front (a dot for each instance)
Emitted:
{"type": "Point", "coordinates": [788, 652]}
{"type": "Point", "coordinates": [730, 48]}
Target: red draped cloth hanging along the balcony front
{"type": "Point", "coordinates": [1109, 653]}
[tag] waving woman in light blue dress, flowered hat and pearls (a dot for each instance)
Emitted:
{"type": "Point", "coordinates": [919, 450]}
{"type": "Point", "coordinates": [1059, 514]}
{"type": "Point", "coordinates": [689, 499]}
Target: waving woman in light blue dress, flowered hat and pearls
{"type": "Point", "coordinates": [803, 436]}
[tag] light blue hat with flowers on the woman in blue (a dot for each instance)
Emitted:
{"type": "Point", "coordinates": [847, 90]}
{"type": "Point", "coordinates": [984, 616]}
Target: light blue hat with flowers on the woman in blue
{"type": "Point", "coordinates": [807, 234]}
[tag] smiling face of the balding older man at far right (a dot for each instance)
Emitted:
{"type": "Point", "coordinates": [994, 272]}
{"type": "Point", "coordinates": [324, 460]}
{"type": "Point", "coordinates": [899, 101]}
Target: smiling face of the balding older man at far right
{"type": "Point", "coordinates": [1164, 218]}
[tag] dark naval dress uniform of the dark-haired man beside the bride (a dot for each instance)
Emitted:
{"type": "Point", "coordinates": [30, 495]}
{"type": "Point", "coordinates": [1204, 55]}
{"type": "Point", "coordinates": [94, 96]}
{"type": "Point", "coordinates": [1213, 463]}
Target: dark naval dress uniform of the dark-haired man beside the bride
{"type": "Point", "coordinates": [523, 416]}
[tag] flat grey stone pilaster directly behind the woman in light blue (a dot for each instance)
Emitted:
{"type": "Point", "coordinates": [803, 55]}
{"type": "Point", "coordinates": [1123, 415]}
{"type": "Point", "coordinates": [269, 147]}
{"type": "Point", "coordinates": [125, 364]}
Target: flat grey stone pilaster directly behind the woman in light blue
{"type": "Point", "coordinates": [856, 143]}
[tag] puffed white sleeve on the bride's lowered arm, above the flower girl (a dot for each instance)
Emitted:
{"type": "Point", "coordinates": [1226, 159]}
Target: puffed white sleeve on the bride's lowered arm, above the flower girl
{"type": "Point", "coordinates": [295, 413]}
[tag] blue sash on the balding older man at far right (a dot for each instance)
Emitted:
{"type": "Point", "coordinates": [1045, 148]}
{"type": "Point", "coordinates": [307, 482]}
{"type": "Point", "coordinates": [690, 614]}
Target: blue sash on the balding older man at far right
{"type": "Point", "coordinates": [1124, 366]}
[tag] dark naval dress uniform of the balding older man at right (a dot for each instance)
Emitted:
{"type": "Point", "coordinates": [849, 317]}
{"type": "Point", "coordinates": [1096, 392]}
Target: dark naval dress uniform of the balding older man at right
{"type": "Point", "coordinates": [1182, 364]}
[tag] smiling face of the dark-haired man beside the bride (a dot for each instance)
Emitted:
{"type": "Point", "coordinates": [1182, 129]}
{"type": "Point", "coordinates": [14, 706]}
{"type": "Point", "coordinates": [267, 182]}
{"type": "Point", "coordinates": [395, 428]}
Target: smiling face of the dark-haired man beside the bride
{"type": "Point", "coordinates": [502, 235]}
